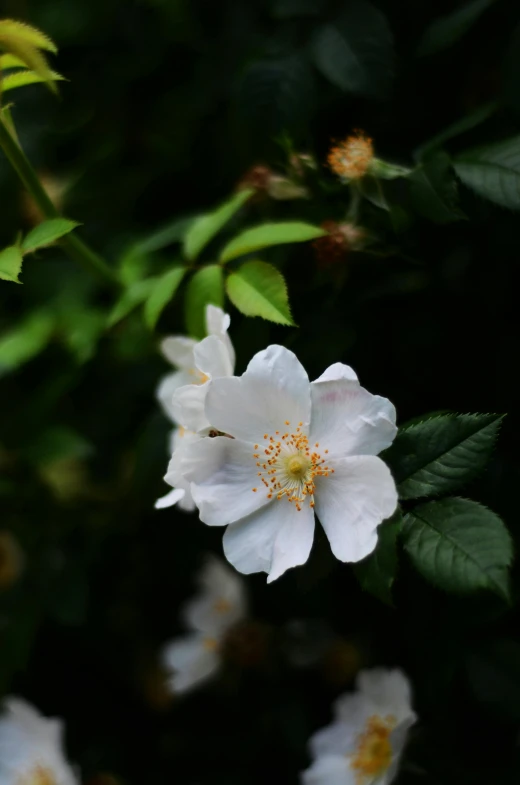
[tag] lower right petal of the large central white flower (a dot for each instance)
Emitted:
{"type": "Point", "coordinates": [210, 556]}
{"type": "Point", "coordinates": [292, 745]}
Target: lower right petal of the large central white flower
{"type": "Point", "coordinates": [352, 502]}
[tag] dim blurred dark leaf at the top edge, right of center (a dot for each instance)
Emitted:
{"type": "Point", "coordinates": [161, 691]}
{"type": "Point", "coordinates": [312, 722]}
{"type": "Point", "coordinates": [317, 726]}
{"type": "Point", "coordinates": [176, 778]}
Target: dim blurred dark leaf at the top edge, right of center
{"type": "Point", "coordinates": [356, 52]}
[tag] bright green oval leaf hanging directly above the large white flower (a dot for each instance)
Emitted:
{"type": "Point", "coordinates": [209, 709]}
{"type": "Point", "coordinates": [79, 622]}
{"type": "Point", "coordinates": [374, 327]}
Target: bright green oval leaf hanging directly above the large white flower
{"type": "Point", "coordinates": [259, 289]}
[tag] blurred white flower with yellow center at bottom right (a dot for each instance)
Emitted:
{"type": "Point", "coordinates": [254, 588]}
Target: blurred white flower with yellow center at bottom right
{"type": "Point", "coordinates": [364, 743]}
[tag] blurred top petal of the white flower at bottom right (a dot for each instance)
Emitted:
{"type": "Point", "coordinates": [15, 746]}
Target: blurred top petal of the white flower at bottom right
{"type": "Point", "coordinates": [389, 690]}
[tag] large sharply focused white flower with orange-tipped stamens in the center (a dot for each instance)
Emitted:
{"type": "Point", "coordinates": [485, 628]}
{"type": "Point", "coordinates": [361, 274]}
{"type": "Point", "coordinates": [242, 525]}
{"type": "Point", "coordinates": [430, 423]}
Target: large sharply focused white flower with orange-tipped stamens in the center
{"type": "Point", "coordinates": [296, 446]}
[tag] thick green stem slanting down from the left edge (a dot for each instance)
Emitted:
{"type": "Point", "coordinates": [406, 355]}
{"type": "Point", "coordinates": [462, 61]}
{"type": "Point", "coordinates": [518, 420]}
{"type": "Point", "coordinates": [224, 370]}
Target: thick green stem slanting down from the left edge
{"type": "Point", "coordinates": [73, 245]}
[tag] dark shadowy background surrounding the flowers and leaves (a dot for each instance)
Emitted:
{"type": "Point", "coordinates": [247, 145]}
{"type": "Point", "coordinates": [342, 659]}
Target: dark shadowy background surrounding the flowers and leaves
{"type": "Point", "coordinates": [168, 104]}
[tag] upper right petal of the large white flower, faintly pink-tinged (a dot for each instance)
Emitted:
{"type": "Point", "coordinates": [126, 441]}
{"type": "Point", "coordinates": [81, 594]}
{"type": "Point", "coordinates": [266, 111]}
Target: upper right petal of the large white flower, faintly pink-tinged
{"type": "Point", "coordinates": [348, 420]}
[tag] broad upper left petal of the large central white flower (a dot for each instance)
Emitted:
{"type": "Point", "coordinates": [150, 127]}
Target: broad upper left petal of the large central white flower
{"type": "Point", "coordinates": [273, 390]}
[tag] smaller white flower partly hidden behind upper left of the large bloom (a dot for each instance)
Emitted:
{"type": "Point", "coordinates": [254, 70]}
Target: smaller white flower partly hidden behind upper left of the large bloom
{"type": "Point", "coordinates": [181, 352]}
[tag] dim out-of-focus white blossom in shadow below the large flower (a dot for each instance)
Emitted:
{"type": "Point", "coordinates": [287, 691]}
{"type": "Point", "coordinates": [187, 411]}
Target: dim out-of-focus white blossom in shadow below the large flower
{"type": "Point", "coordinates": [220, 604]}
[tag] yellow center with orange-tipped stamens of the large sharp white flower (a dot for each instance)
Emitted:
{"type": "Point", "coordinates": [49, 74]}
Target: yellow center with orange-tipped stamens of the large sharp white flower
{"type": "Point", "coordinates": [288, 466]}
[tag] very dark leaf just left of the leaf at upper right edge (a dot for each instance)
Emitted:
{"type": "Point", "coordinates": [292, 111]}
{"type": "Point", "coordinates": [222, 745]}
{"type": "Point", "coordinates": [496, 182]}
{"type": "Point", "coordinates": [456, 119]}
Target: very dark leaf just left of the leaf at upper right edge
{"type": "Point", "coordinates": [433, 189]}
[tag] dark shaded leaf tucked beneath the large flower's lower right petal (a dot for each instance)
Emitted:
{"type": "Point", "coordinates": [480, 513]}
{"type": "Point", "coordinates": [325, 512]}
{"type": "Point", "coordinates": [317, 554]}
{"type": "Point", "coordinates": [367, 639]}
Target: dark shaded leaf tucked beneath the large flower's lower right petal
{"type": "Point", "coordinates": [376, 573]}
